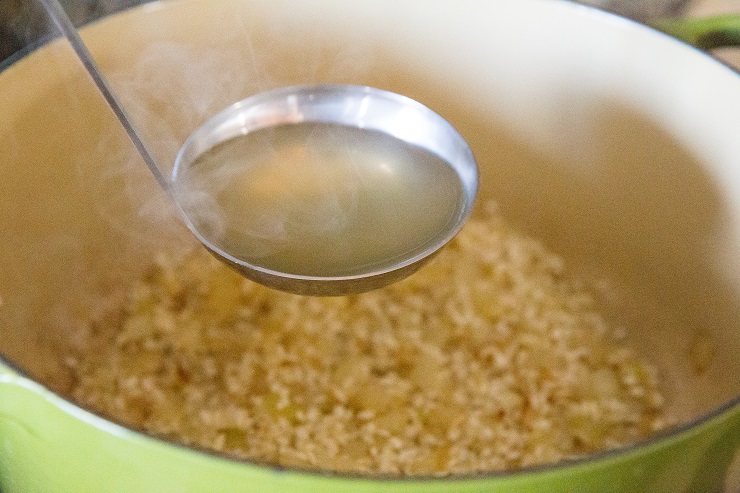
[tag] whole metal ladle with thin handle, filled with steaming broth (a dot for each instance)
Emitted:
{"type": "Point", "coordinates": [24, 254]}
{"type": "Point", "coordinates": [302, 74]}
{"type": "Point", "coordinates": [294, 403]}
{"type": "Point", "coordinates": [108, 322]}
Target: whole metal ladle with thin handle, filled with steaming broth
{"type": "Point", "coordinates": [338, 189]}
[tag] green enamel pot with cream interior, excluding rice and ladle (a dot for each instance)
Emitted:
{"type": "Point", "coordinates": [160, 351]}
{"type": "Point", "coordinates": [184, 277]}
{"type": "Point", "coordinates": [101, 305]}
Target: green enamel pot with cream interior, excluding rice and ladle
{"type": "Point", "coordinates": [613, 143]}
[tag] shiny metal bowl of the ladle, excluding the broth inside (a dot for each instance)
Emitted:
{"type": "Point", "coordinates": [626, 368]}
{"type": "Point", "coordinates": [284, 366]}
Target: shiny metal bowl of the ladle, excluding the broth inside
{"type": "Point", "coordinates": [346, 105]}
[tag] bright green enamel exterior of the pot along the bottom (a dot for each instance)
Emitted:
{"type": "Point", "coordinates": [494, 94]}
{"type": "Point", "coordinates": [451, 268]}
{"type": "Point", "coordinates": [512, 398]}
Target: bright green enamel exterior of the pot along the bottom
{"type": "Point", "coordinates": [49, 445]}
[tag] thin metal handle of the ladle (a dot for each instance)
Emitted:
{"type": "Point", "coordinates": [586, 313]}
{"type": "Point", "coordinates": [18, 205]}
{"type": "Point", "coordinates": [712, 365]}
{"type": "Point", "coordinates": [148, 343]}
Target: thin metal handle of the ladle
{"type": "Point", "coordinates": [62, 21]}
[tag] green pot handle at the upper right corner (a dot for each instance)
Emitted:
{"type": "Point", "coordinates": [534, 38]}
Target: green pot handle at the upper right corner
{"type": "Point", "coordinates": [705, 33]}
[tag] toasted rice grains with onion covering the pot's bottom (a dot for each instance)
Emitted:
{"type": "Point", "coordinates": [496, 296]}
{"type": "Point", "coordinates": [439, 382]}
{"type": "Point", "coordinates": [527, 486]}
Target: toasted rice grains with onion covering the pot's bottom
{"type": "Point", "coordinates": [488, 359]}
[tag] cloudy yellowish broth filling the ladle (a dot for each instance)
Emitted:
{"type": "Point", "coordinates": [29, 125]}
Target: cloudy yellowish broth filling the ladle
{"type": "Point", "coordinates": [320, 199]}
